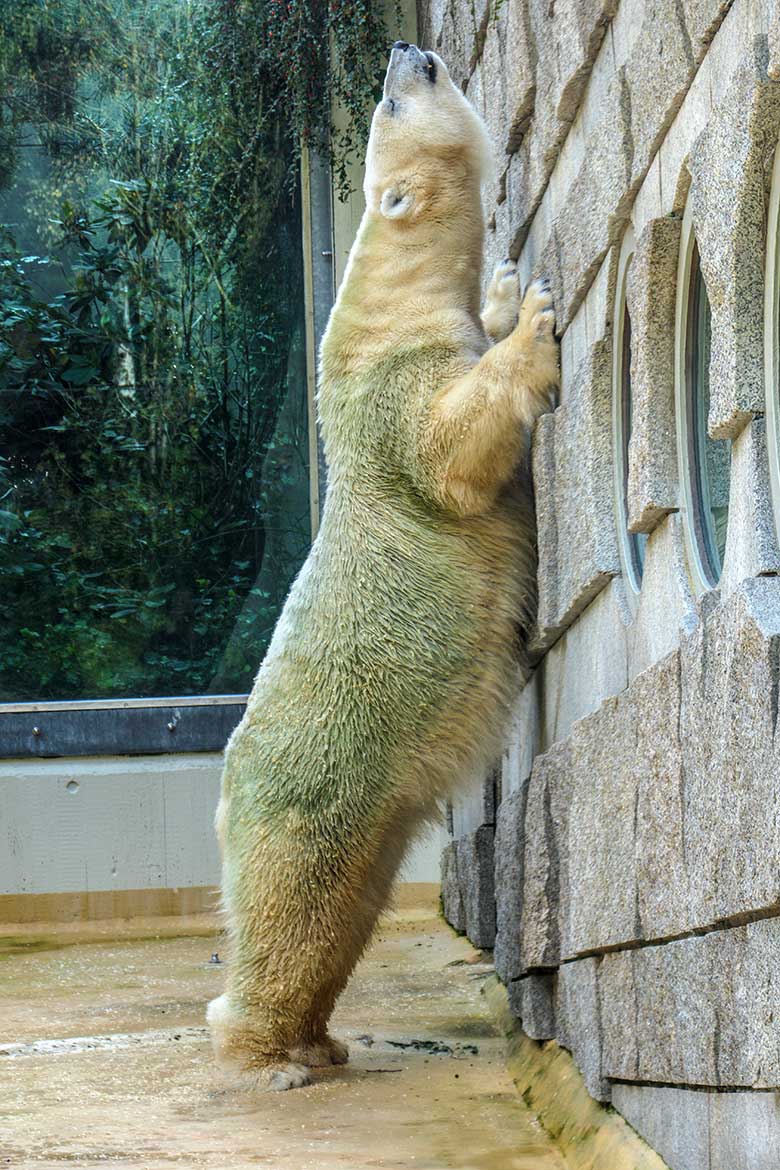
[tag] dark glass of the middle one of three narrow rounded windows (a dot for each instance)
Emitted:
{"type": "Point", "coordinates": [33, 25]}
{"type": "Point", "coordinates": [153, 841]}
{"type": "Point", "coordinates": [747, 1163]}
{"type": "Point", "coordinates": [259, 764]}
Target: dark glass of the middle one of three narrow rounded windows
{"type": "Point", "coordinates": [712, 458]}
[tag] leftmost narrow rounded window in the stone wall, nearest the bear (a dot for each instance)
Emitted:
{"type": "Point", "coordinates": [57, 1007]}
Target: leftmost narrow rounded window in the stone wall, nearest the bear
{"type": "Point", "coordinates": [633, 545]}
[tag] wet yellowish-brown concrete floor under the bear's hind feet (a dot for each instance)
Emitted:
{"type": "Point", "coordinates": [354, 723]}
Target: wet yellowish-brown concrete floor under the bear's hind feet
{"type": "Point", "coordinates": [105, 1061]}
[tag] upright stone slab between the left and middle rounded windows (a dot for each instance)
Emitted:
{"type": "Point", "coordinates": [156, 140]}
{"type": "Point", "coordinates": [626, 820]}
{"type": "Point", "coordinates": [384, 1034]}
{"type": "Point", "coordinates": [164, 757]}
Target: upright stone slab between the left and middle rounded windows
{"type": "Point", "coordinates": [651, 297]}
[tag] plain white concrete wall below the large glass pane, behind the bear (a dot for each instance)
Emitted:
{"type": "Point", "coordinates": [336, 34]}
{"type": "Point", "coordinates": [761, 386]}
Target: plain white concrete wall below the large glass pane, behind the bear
{"type": "Point", "coordinates": [115, 824]}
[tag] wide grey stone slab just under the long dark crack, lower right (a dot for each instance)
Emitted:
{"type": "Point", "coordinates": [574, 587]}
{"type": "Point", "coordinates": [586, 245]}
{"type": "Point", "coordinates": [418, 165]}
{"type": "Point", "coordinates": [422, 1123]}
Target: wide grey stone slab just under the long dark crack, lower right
{"type": "Point", "coordinates": [699, 1011]}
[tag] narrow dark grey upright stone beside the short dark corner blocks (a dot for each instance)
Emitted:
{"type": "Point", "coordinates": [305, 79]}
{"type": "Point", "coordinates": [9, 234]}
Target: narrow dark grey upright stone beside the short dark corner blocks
{"type": "Point", "coordinates": [510, 849]}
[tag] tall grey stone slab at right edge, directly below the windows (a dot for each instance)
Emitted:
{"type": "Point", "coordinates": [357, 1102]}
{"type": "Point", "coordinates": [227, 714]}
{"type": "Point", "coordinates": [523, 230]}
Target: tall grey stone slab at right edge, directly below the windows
{"type": "Point", "coordinates": [731, 811]}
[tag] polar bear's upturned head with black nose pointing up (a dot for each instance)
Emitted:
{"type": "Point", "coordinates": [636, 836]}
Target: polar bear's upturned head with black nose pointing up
{"type": "Point", "coordinates": [429, 150]}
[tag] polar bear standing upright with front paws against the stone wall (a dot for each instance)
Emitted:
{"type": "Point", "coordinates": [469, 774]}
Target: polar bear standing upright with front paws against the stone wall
{"type": "Point", "coordinates": [390, 673]}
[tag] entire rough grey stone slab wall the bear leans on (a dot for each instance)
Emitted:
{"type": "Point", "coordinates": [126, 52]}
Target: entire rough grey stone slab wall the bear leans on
{"type": "Point", "coordinates": [625, 863]}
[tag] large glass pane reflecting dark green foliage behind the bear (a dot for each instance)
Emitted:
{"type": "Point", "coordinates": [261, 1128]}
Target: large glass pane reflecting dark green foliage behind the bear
{"type": "Point", "coordinates": [154, 419]}
